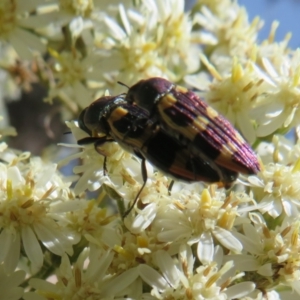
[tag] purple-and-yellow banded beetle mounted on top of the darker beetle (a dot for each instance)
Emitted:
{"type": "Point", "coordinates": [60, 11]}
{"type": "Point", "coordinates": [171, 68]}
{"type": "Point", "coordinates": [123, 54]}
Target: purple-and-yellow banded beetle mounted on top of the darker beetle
{"type": "Point", "coordinates": [194, 124]}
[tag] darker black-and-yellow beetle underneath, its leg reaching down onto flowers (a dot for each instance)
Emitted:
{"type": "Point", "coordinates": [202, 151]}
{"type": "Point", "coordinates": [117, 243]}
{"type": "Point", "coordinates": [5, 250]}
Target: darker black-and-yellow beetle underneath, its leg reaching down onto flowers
{"type": "Point", "coordinates": [114, 119]}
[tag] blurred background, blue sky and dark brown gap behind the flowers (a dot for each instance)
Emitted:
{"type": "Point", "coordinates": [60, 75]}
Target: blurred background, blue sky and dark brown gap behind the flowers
{"type": "Point", "coordinates": [35, 133]}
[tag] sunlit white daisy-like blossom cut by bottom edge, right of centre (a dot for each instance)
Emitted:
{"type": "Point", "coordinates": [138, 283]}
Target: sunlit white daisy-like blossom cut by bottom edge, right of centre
{"type": "Point", "coordinates": [180, 279]}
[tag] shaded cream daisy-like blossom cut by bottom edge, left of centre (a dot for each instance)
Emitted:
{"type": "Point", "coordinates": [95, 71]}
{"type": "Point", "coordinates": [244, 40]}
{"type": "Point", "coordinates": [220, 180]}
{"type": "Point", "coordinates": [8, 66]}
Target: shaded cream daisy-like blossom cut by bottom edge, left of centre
{"type": "Point", "coordinates": [91, 282]}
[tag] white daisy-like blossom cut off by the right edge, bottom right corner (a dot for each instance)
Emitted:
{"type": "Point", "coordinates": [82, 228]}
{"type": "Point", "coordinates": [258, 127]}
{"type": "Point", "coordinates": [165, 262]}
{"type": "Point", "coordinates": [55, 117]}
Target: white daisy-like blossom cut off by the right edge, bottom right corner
{"type": "Point", "coordinates": [270, 252]}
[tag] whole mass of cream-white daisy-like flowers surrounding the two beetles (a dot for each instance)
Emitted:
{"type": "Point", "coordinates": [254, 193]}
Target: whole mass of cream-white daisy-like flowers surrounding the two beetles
{"type": "Point", "coordinates": [74, 237]}
